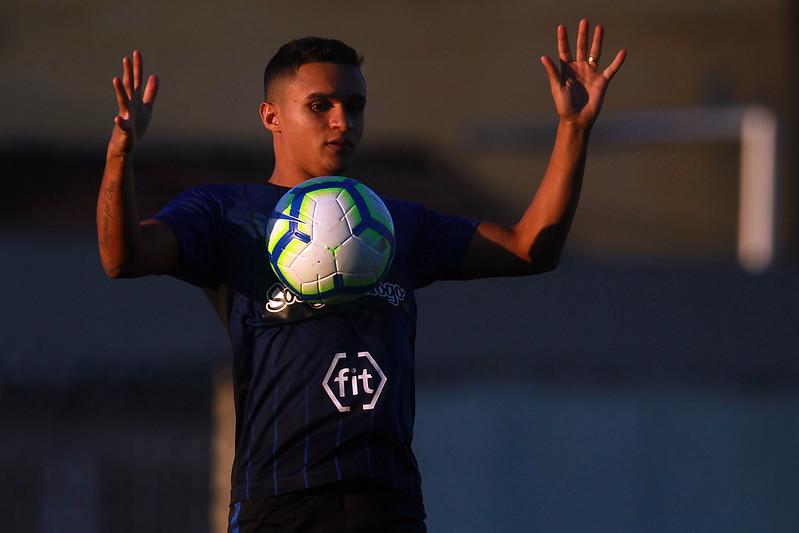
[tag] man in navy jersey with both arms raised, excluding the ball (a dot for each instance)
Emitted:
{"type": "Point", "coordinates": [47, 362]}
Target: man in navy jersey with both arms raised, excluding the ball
{"type": "Point", "coordinates": [305, 461]}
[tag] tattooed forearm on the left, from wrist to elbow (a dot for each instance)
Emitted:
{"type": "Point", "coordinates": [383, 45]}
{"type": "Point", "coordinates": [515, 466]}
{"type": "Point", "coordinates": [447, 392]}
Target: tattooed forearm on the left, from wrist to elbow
{"type": "Point", "coordinates": [118, 229]}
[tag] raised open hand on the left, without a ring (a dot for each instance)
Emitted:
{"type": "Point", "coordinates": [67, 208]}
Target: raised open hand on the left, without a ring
{"type": "Point", "coordinates": [135, 106]}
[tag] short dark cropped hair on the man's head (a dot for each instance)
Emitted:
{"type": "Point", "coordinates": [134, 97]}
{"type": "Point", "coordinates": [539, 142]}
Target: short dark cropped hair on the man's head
{"type": "Point", "coordinates": [298, 52]}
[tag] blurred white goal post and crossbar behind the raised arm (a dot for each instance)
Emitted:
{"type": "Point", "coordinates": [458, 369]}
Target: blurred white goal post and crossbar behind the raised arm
{"type": "Point", "coordinates": [753, 126]}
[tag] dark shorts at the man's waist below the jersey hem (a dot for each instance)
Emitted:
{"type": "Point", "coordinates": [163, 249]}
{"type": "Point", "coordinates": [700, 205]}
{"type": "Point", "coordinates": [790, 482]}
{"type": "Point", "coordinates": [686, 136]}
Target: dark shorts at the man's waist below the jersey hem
{"type": "Point", "coordinates": [351, 506]}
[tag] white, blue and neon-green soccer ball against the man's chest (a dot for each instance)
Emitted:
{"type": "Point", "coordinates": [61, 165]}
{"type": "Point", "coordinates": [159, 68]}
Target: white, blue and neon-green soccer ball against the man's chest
{"type": "Point", "coordinates": [330, 239]}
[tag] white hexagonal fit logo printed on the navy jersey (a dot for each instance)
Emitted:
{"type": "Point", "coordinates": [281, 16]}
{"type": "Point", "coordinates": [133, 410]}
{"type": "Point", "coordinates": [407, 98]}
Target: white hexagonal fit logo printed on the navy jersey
{"type": "Point", "coordinates": [354, 381]}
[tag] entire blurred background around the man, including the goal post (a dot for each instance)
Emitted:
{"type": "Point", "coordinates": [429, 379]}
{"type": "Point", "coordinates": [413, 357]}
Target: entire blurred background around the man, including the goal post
{"type": "Point", "coordinates": [649, 384]}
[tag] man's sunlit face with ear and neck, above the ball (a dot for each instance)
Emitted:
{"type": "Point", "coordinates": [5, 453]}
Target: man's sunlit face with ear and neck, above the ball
{"type": "Point", "coordinates": [317, 120]}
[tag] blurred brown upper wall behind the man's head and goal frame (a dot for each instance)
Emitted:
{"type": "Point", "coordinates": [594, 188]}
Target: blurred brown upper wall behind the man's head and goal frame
{"type": "Point", "coordinates": [434, 69]}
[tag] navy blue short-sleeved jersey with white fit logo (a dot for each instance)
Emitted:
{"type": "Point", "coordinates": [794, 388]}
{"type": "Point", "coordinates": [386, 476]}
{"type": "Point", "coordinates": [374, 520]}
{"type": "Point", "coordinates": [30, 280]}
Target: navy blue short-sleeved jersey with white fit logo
{"type": "Point", "coordinates": [322, 392]}
